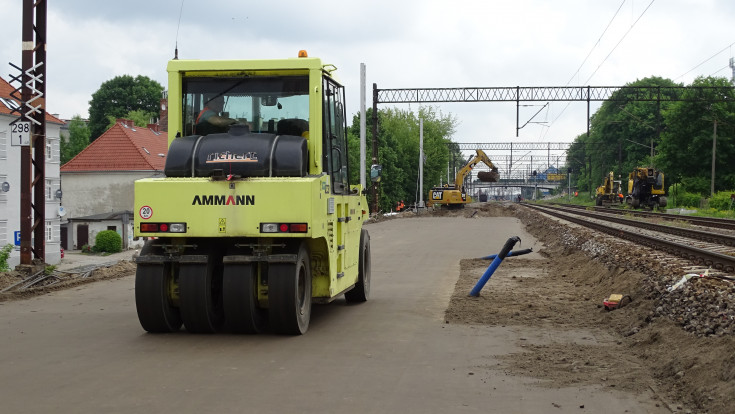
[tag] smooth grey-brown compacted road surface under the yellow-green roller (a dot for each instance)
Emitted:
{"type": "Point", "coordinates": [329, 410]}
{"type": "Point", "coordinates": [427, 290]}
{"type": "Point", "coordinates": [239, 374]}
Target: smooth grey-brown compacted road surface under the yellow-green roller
{"type": "Point", "coordinates": [83, 351]}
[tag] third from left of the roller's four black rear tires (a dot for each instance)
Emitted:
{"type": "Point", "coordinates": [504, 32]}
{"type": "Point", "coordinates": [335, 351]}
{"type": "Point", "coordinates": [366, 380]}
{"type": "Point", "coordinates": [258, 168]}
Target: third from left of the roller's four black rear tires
{"type": "Point", "coordinates": [240, 299]}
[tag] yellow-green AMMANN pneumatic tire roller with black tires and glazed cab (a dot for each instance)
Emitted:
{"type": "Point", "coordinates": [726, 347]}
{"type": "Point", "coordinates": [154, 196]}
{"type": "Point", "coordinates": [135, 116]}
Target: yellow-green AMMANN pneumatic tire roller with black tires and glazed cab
{"type": "Point", "coordinates": [255, 218]}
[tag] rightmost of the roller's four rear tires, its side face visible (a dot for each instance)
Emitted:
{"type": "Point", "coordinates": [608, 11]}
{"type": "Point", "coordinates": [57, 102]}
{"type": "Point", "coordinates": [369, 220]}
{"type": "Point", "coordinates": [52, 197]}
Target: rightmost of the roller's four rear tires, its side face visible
{"type": "Point", "coordinates": [289, 295]}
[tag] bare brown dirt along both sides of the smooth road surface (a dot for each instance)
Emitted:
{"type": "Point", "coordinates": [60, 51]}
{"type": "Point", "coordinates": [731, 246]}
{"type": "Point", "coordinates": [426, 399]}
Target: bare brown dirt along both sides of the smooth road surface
{"type": "Point", "coordinates": [574, 341]}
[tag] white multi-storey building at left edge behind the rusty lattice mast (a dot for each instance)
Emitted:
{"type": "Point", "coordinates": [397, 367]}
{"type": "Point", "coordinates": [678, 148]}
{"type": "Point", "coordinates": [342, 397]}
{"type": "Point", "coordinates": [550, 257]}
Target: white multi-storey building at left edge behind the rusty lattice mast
{"type": "Point", "coordinates": [10, 182]}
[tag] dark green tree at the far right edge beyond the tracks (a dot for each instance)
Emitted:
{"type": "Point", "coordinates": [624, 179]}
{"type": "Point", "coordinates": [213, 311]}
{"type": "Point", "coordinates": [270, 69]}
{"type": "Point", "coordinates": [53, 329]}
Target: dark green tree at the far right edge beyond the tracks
{"type": "Point", "coordinates": [685, 152]}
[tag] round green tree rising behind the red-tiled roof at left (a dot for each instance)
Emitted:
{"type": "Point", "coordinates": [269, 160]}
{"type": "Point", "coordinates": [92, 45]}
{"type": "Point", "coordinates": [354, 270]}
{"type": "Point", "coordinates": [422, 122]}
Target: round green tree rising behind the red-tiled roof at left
{"type": "Point", "coordinates": [119, 96]}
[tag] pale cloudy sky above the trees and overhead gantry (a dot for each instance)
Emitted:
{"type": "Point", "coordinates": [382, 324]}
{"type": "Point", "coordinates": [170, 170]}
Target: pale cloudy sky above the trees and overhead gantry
{"type": "Point", "coordinates": [404, 44]}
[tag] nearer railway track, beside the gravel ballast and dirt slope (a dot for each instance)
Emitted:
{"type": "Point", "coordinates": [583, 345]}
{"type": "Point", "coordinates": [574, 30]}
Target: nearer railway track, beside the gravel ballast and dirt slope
{"type": "Point", "coordinates": [700, 247]}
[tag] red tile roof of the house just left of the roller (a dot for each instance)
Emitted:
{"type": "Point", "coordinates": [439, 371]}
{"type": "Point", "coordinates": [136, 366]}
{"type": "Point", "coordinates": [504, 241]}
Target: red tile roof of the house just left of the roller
{"type": "Point", "coordinates": [123, 147]}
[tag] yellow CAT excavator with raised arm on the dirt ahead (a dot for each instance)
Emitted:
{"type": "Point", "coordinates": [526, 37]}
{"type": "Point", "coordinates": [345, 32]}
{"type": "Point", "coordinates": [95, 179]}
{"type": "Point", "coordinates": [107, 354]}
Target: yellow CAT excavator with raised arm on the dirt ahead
{"type": "Point", "coordinates": [455, 196]}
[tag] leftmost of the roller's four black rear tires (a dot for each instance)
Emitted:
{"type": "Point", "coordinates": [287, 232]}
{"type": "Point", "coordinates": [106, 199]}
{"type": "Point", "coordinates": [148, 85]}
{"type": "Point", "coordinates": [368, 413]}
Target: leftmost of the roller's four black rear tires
{"type": "Point", "coordinates": [156, 313]}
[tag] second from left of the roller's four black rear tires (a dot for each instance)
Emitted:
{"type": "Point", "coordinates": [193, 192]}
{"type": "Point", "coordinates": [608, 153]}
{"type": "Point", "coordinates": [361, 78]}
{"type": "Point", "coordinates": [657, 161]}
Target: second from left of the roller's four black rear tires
{"type": "Point", "coordinates": [200, 296]}
